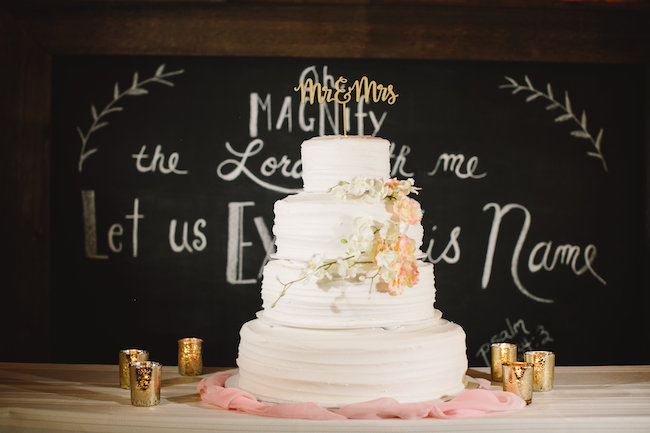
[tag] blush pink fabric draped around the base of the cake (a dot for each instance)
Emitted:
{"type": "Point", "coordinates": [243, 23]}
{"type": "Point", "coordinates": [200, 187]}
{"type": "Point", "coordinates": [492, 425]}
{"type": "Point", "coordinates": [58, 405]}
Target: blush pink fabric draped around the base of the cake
{"type": "Point", "coordinates": [471, 403]}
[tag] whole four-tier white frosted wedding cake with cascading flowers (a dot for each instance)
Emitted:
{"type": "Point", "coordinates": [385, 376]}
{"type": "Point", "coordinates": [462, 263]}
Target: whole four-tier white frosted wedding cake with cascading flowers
{"type": "Point", "coordinates": [348, 311]}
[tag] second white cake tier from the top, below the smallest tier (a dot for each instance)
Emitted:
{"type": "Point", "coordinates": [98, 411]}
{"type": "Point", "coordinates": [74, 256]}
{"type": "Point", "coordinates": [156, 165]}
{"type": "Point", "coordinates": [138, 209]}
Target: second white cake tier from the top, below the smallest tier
{"type": "Point", "coordinates": [308, 223]}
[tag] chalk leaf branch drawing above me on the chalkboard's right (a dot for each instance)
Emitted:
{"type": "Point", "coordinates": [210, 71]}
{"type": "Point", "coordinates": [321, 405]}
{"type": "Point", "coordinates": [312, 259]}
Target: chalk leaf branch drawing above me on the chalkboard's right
{"type": "Point", "coordinates": [568, 114]}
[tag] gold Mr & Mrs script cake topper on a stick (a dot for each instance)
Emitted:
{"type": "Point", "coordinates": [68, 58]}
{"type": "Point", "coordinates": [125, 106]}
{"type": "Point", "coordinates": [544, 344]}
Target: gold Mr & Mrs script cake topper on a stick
{"type": "Point", "coordinates": [340, 94]}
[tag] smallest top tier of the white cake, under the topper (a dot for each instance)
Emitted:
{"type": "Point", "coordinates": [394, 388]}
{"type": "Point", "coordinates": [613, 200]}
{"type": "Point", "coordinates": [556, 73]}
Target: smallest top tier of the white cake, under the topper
{"type": "Point", "coordinates": [331, 159]}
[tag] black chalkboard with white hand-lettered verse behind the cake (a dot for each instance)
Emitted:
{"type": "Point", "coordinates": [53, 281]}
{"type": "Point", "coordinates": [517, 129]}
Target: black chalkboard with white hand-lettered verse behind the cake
{"type": "Point", "coordinates": [165, 171]}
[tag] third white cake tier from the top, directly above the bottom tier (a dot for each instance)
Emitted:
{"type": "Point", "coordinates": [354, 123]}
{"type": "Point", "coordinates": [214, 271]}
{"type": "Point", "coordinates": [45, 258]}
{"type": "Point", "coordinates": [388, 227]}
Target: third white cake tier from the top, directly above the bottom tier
{"type": "Point", "coordinates": [342, 303]}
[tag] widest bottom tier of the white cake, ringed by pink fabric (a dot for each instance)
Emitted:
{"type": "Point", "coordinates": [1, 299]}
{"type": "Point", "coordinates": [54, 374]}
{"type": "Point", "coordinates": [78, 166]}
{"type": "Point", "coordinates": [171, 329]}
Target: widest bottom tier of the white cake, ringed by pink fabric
{"type": "Point", "coordinates": [335, 367]}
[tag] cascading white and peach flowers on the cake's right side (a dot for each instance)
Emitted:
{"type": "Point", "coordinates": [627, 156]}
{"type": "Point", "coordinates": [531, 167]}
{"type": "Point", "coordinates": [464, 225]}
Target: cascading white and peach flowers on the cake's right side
{"type": "Point", "coordinates": [375, 249]}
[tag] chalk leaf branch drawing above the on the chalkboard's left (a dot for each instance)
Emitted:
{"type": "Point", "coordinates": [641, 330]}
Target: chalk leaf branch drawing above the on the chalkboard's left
{"type": "Point", "coordinates": [136, 89]}
